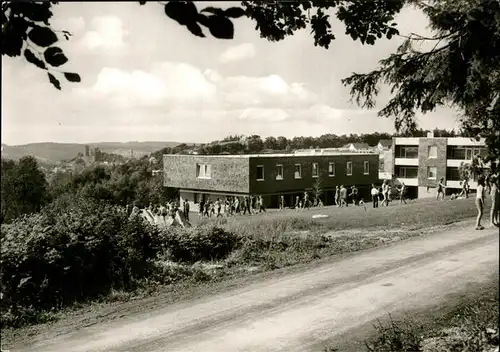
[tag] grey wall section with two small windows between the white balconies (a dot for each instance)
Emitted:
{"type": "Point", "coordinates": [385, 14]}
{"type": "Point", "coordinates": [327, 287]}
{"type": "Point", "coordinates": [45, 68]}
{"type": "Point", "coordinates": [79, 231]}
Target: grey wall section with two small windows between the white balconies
{"type": "Point", "coordinates": [424, 161]}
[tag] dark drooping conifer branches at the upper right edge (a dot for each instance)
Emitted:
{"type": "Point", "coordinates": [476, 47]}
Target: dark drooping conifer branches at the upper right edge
{"type": "Point", "coordinates": [464, 72]}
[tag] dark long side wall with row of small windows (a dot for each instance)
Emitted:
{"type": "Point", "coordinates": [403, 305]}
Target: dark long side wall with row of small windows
{"type": "Point", "coordinates": [289, 184]}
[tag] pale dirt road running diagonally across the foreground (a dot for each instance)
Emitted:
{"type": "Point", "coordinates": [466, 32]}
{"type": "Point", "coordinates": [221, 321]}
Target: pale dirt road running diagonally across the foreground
{"type": "Point", "coordinates": [300, 309]}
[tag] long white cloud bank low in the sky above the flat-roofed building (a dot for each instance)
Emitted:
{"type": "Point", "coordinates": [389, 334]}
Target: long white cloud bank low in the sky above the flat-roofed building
{"type": "Point", "coordinates": [181, 84]}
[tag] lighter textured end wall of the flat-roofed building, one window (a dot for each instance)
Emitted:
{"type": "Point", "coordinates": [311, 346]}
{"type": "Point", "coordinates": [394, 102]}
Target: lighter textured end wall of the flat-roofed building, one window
{"type": "Point", "coordinates": [228, 174]}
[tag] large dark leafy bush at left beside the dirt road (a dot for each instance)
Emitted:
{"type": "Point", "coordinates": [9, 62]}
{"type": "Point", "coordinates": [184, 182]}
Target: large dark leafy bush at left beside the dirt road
{"type": "Point", "coordinates": [72, 251]}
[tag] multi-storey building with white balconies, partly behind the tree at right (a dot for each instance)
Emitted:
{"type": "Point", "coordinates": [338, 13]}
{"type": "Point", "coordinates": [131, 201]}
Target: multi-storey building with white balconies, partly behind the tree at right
{"type": "Point", "coordinates": [421, 162]}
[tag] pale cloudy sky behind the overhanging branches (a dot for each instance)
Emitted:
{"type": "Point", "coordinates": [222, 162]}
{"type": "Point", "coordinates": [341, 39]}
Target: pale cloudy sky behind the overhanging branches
{"type": "Point", "coordinates": [146, 78]}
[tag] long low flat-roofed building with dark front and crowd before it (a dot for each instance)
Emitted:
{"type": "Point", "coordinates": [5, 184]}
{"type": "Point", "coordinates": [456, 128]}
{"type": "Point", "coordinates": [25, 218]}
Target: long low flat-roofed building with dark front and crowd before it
{"type": "Point", "coordinates": [270, 175]}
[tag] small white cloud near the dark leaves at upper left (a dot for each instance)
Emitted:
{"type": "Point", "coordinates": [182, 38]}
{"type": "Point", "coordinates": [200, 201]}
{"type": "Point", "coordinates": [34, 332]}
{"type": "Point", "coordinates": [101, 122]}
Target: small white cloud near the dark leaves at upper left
{"type": "Point", "coordinates": [107, 33]}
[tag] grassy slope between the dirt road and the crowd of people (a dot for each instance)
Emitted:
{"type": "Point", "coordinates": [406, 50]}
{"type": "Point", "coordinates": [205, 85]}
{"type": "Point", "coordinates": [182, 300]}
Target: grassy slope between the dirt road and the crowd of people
{"type": "Point", "coordinates": [289, 238]}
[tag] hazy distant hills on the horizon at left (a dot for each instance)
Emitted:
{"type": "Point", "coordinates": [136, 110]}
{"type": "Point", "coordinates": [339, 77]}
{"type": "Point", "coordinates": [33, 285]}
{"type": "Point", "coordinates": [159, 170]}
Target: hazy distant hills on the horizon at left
{"type": "Point", "coordinates": [52, 153]}
